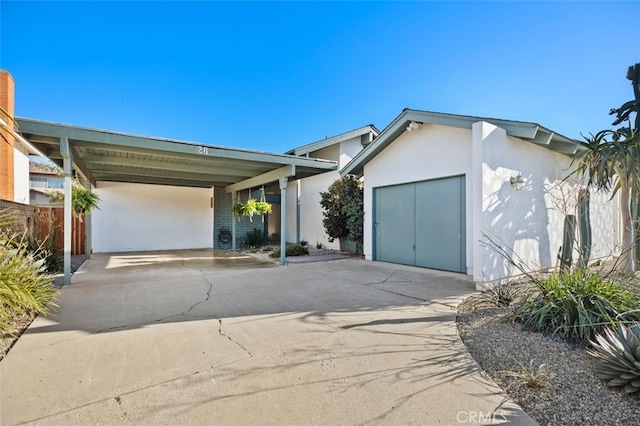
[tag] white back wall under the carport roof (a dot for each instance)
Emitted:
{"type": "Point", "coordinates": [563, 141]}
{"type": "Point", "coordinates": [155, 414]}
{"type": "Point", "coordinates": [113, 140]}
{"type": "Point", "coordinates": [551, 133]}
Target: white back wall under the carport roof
{"type": "Point", "coordinates": [137, 217]}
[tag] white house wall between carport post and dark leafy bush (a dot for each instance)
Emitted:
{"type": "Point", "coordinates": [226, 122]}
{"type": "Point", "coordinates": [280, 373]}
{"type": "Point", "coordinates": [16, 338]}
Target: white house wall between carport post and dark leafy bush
{"type": "Point", "coordinates": [307, 191]}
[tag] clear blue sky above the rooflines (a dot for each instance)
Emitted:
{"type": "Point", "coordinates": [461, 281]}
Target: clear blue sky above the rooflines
{"type": "Point", "coordinates": [273, 76]}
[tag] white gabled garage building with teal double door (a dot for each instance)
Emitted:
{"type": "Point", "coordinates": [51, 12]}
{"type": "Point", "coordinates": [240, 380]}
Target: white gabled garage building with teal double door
{"type": "Point", "coordinates": [439, 187]}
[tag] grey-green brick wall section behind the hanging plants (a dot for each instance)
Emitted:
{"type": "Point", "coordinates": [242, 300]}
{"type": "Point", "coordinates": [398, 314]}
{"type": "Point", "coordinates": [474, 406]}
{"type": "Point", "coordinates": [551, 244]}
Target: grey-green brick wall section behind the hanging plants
{"type": "Point", "coordinates": [222, 217]}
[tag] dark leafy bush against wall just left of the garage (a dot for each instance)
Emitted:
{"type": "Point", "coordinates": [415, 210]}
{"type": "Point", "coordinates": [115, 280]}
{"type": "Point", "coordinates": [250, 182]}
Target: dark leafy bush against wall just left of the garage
{"type": "Point", "coordinates": [343, 215]}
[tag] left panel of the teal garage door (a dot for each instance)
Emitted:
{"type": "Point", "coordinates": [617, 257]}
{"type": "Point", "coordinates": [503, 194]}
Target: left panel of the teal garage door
{"type": "Point", "coordinates": [395, 224]}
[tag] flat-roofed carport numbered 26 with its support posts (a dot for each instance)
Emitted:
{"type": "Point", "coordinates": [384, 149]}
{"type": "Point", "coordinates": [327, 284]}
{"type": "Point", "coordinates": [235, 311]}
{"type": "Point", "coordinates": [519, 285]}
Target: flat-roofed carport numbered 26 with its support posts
{"type": "Point", "coordinates": [102, 155]}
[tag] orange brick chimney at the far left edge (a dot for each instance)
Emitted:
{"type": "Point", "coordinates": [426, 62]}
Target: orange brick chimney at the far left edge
{"type": "Point", "coordinates": [6, 139]}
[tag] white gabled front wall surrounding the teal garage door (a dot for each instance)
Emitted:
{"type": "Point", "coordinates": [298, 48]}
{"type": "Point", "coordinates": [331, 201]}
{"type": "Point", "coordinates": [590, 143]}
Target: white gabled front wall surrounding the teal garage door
{"type": "Point", "coordinates": [429, 152]}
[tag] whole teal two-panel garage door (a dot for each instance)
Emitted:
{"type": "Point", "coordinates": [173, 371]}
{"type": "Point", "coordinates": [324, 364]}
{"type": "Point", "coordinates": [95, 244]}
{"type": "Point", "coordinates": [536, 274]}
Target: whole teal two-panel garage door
{"type": "Point", "coordinates": [421, 224]}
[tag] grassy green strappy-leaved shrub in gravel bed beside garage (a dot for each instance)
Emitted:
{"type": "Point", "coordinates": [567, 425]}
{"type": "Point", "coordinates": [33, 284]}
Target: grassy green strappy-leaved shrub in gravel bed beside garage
{"type": "Point", "coordinates": [577, 305]}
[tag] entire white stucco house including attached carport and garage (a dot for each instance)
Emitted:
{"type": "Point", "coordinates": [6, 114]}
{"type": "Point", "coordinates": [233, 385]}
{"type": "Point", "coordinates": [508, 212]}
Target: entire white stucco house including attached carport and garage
{"type": "Point", "coordinates": [438, 187]}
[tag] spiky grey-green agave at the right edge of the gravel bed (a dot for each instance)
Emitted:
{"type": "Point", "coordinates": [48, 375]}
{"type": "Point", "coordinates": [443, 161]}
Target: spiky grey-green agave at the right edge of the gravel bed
{"type": "Point", "coordinates": [617, 356]}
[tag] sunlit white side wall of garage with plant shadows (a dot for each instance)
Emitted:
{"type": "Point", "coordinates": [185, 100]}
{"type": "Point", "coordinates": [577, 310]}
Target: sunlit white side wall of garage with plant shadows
{"type": "Point", "coordinates": [529, 222]}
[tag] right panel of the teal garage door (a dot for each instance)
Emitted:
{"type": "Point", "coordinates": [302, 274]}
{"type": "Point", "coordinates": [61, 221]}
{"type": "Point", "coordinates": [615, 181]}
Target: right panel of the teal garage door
{"type": "Point", "coordinates": [438, 224]}
